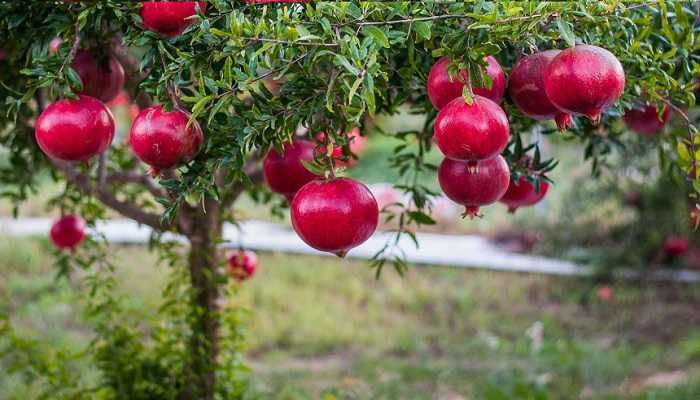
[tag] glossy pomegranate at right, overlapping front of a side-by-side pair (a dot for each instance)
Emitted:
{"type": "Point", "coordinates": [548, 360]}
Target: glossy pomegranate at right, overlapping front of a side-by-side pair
{"type": "Point", "coordinates": [584, 80]}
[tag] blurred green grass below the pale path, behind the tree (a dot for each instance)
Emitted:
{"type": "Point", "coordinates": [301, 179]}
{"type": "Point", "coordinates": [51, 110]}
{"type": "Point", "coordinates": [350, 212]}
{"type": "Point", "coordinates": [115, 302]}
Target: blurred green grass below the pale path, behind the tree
{"type": "Point", "coordinates": [325, 328]}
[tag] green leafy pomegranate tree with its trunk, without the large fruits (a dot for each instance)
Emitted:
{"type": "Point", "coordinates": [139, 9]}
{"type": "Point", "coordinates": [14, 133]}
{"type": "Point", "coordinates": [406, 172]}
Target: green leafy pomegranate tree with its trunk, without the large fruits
{"type": "Point", "coordinates": [337, 64]}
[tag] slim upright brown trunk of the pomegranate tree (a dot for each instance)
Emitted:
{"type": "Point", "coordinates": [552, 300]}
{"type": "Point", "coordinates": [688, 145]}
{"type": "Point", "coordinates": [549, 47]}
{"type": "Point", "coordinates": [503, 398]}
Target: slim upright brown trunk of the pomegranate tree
{"type": "Point", "coordinates": [204, 234]}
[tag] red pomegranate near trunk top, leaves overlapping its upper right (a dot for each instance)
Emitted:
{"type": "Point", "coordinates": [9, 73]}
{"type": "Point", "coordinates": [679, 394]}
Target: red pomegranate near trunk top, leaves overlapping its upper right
{"type": "Point", "coordinates": [163, 140]}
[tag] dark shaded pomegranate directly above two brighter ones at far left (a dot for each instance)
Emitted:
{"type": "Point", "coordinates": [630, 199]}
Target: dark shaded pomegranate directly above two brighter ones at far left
{"type": "Point", "coordinates": [102, 79]}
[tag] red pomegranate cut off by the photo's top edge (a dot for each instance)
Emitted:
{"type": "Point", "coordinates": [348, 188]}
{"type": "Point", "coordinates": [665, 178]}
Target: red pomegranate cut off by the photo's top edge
{"type": "Point", "coordinates": [169, 18]}
